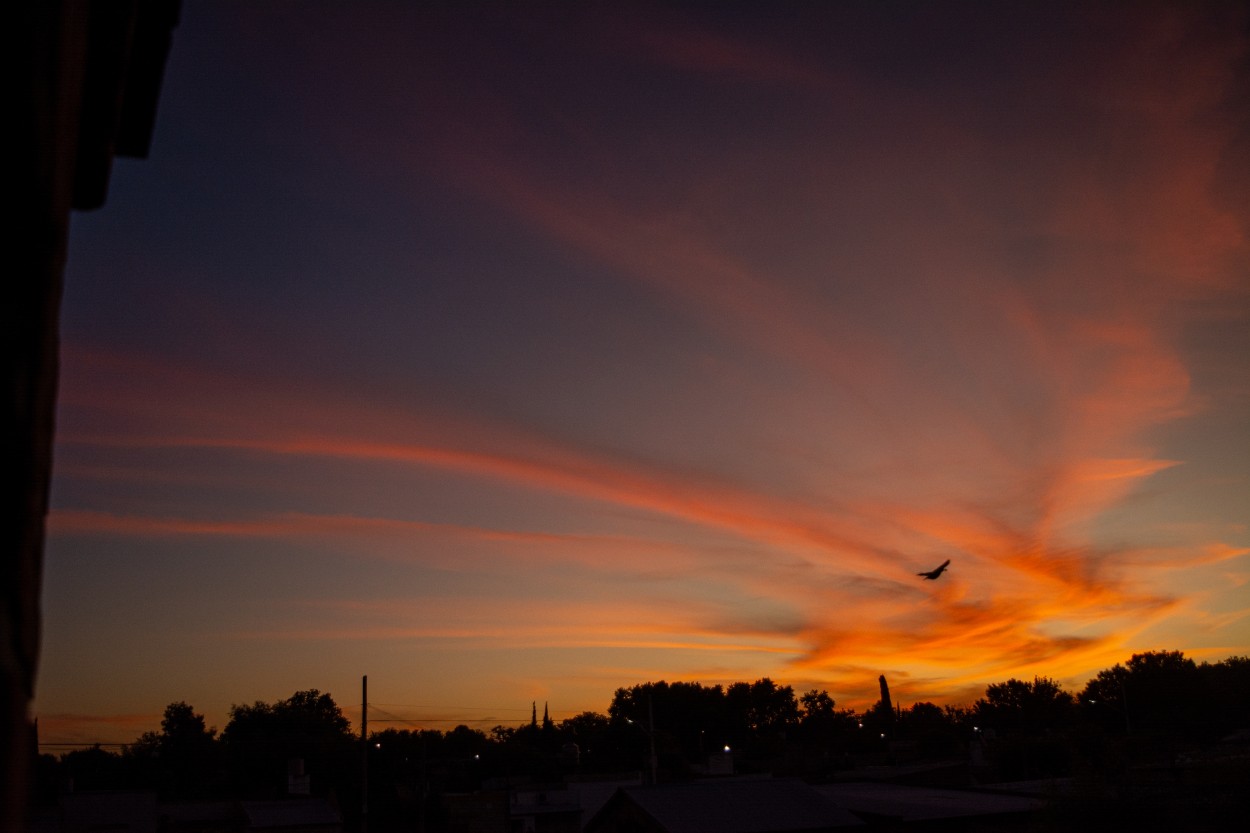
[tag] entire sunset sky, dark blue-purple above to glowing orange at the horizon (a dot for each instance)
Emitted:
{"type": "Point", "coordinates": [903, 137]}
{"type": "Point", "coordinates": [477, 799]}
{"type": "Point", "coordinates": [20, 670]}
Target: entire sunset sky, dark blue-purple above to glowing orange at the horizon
{"type": "Point", "coordinates": [513, 353]}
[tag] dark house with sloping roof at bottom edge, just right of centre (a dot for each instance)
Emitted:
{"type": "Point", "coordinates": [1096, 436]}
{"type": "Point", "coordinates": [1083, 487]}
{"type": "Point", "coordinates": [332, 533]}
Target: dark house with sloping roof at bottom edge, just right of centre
{"type": "Point", "coordinates": [728, 806]}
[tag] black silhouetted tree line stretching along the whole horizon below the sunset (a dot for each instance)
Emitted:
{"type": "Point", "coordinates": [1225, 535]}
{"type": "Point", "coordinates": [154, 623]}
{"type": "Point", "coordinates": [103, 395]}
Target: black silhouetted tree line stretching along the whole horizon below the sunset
{"type": "Point", "coordinates": [1156, 705]}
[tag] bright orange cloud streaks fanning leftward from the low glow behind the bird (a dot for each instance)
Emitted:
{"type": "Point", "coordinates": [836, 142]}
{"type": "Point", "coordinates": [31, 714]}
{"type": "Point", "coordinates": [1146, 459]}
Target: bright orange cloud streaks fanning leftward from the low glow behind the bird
{"type": "Point", "coordinates": [896, 622]}
